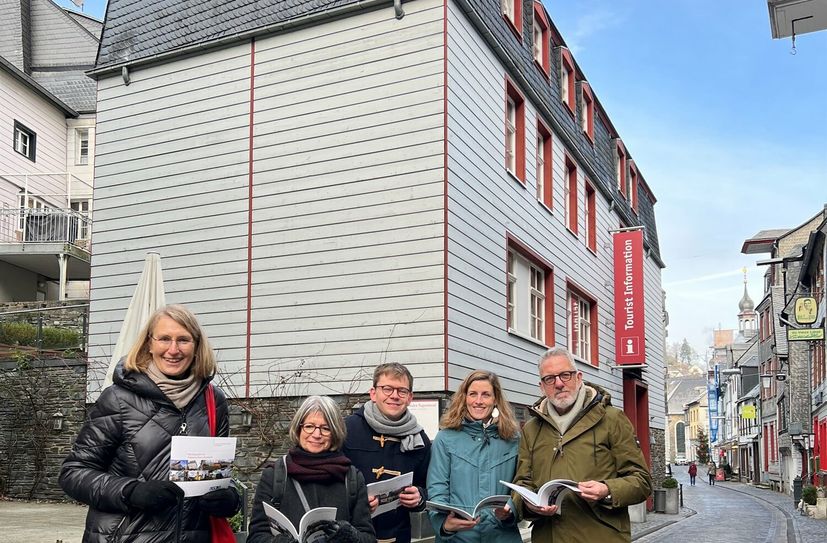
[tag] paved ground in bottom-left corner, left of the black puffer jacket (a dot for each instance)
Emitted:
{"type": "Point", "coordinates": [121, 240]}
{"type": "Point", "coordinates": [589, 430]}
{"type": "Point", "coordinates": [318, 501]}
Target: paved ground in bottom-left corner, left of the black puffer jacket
{"type": "Point", "coordinates": [40, 522]}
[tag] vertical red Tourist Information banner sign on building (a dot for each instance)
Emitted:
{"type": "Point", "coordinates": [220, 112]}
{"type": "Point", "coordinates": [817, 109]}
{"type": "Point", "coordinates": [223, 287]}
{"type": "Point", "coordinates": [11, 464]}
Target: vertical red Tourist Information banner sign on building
{"type": "Point", "coordinates": [630, 330]}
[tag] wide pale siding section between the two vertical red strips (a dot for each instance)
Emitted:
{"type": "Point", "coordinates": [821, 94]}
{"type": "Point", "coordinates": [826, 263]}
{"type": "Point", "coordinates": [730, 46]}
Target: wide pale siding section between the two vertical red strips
{"type": "Point", "coordinates": [347, 269]}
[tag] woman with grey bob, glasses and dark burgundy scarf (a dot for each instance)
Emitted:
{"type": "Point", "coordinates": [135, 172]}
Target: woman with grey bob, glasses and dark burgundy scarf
{"type": "Point", "coordinates": [314, 473]}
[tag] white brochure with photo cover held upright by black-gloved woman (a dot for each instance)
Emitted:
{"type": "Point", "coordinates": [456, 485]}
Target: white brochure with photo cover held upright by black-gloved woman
{"type": "Point", "coordinates": [201, 464]}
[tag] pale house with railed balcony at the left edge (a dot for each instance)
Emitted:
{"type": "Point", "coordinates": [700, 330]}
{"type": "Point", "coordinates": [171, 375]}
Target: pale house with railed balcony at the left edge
{"type": "Point", "coordinates": [47, 111]}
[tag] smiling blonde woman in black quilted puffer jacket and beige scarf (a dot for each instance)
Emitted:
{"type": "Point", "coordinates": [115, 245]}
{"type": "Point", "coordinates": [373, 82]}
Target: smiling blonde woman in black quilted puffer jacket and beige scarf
{"type": "Point", "coordinates": [120, 462]}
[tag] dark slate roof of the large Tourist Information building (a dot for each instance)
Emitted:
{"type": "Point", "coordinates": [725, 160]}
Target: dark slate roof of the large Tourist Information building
{"type": "Point", "coordinates": [139, 30]}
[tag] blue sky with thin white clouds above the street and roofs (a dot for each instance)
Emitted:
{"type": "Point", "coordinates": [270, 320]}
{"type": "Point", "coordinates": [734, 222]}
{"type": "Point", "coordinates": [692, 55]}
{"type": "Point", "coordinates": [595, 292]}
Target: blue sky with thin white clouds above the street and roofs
{"type": "Point", "coordinates": [728, 128]}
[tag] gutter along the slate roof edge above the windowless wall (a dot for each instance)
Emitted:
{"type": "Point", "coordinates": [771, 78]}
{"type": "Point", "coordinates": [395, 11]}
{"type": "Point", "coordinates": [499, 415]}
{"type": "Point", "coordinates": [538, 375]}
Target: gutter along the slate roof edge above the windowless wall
{"type": "Point", "coordinates": [275, 28]}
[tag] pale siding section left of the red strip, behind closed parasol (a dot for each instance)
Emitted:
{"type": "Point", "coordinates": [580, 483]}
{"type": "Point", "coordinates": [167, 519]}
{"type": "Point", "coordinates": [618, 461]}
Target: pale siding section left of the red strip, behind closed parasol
{"type": "Point", "coordinates": [171, 176]}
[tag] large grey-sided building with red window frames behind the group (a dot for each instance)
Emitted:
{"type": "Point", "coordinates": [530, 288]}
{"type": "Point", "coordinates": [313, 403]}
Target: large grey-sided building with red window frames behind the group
{"type": "Point", "coordinates": [433, 183]}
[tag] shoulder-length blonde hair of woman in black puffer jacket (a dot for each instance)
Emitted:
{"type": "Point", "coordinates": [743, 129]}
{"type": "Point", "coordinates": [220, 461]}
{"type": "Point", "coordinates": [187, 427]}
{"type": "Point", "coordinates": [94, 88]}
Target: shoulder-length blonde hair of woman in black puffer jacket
{"type": "Point", "coordinates": [203, 364]}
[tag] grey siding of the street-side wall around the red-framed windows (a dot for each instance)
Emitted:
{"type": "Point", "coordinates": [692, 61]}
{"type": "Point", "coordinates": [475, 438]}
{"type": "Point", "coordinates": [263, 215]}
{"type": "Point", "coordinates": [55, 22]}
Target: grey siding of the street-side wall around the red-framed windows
{"type": "Point", "coordinates": [479, 186]}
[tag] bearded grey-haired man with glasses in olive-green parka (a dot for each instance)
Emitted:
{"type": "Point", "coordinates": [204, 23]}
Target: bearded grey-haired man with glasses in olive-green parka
{"type": "Point", "coordinates": [575, 433]}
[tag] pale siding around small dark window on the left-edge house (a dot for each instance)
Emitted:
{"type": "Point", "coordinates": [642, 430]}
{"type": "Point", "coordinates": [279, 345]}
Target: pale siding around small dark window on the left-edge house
{"type": "Point", "coordinates": [49, 123]}
